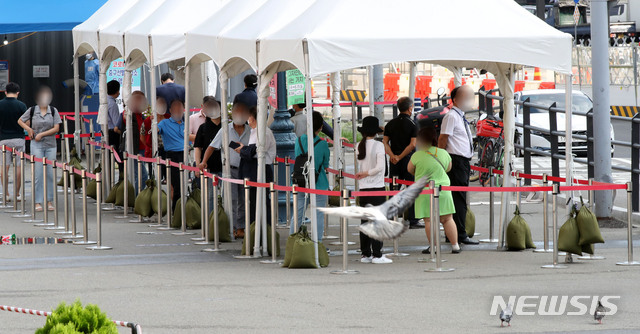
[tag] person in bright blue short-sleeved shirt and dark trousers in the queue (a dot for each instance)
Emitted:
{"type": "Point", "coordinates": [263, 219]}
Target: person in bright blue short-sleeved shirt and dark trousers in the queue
{"type": "Point", "coordinates": [172, 131]}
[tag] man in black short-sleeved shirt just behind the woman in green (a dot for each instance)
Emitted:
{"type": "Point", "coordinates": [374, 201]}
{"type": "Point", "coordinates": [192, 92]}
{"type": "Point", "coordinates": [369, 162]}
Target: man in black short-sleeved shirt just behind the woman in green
{"type": "Point", "coordinates": [399, 144]}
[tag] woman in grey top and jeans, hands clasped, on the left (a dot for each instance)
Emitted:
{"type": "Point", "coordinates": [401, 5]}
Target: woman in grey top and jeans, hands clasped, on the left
{"type": "Point", "coordinates": [42, 122]}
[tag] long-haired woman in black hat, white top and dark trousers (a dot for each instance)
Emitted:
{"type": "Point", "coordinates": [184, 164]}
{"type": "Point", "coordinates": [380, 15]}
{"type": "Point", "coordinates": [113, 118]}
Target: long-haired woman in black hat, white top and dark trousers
{"type": "Point", "coordinates": [371, 166]}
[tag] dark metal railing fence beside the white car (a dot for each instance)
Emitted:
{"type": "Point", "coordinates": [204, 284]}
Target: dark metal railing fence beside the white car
{"type": "Point", "coordinates": [553, 134]}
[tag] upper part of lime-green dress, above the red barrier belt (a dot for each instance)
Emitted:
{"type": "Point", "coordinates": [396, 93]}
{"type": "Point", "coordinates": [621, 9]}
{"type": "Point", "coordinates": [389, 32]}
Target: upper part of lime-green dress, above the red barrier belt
{"type": "Point", "coordinates": [432, 163]}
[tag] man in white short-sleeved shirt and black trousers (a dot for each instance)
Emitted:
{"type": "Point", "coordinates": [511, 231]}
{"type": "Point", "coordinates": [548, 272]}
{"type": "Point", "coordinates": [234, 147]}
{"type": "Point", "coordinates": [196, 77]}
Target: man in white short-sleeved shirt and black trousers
{"type": "Point", "coordinates": [455, 137]}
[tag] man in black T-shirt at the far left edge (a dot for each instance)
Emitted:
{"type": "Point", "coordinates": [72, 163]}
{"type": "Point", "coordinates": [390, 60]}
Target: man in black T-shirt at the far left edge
{"type": "Point", "coordinates": [11, 134]}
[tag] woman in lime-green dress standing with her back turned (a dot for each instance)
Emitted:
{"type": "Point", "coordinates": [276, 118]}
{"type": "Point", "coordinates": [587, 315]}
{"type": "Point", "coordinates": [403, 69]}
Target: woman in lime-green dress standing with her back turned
{"type": "Point", "coordinates": [434, 163]}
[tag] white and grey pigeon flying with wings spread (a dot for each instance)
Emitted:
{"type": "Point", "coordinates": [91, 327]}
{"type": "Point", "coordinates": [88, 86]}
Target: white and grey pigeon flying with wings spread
{"type": "Point", "coordinates": [379, 225]}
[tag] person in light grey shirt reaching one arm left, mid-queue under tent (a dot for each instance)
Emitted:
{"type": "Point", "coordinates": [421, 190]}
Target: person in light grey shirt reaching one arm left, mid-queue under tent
{"type": "Point", "coordinates": [239, 132]}
